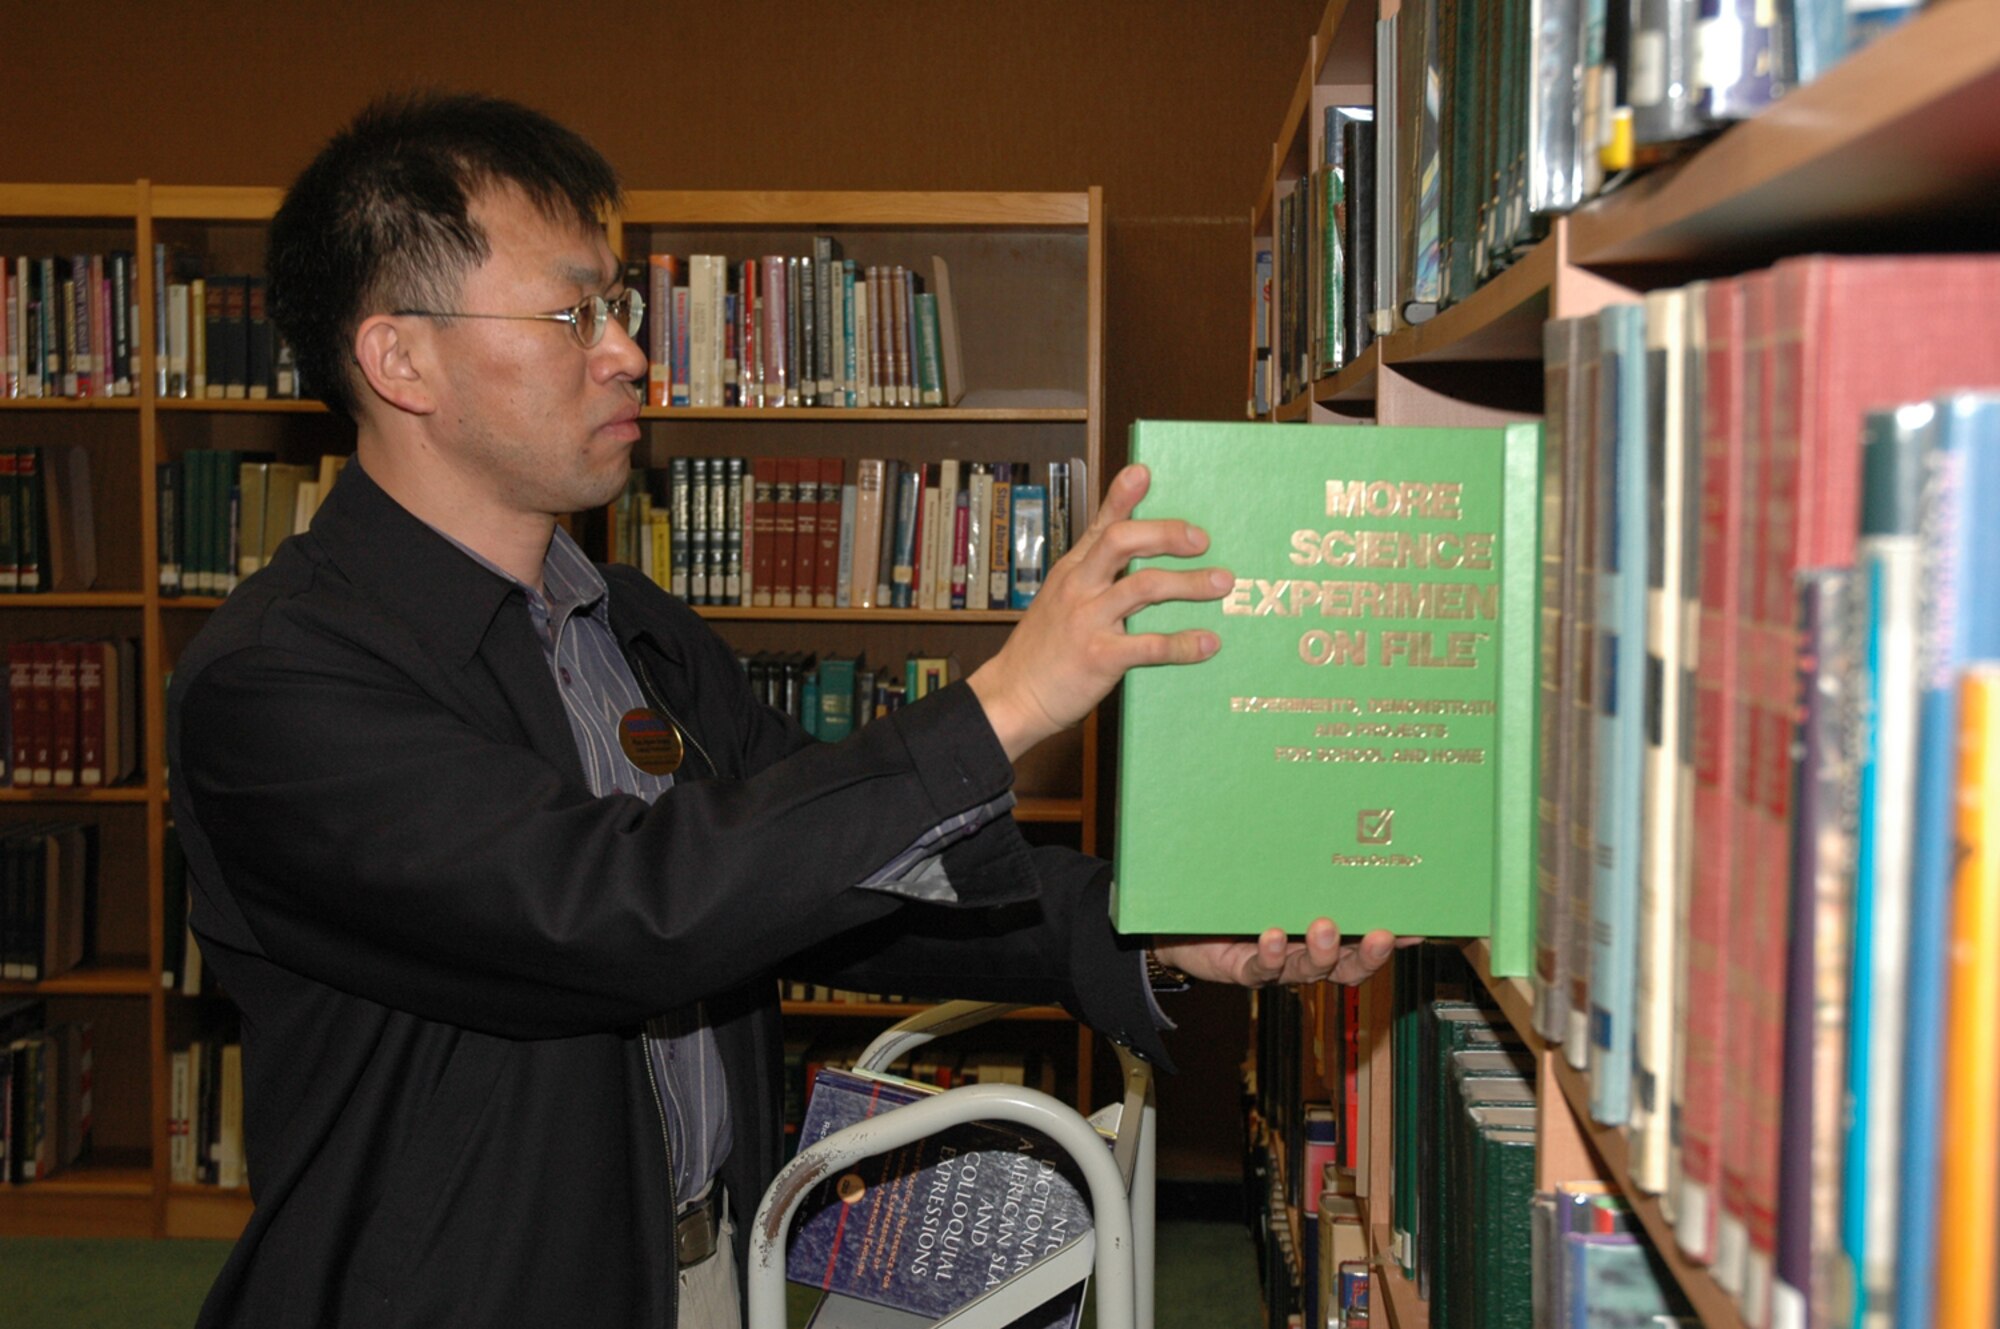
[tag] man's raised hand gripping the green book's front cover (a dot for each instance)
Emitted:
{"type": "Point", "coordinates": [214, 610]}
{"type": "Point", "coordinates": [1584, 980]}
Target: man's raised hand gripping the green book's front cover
{"type": "Point", "coordinates": [1071, 647]}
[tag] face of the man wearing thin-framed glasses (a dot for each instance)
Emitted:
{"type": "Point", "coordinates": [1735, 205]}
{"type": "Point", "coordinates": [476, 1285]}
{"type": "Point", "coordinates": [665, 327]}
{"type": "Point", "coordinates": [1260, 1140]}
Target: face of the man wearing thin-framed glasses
{"type": "Point", "coordinates": [527, 417]}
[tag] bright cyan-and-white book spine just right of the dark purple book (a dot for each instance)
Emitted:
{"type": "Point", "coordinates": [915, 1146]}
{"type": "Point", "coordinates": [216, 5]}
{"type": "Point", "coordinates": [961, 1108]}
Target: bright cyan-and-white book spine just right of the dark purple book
{"type": "Point", "coordinates": [1887, 591]}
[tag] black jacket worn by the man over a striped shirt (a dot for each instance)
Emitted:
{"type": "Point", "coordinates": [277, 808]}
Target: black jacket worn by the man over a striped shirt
{"type": "Point", "coordinates": [445, 948]}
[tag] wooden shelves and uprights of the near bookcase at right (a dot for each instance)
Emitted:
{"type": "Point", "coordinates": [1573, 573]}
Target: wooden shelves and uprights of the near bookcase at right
{"type": "Point", "coordinates": [1893, 149]}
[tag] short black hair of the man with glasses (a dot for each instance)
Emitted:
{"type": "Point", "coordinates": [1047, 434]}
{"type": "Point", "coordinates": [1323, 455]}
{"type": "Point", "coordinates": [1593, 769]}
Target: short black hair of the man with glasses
{"type": "Point", "coordinates": [381, 219]}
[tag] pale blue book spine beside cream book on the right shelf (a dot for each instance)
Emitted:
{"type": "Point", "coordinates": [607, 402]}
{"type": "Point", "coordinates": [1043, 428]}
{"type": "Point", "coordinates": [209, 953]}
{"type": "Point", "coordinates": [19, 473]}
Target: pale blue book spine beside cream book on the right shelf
{"type": "Point", "coordinates": [1621, 738]}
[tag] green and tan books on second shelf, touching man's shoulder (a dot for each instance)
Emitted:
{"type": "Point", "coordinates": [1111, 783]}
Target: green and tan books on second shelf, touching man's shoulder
{"type": "Point", "coordinates": [223, 513]}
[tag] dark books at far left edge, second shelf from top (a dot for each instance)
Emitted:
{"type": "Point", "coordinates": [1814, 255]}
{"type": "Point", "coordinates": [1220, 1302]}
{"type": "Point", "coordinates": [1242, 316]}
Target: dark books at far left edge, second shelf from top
{"type": "Point", "coordinates": [49, 531]}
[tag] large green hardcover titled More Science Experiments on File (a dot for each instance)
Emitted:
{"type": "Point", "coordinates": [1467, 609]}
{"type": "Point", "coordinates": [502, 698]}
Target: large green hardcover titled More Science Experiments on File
{"type": "Point", "coordinates": [1363, 746]}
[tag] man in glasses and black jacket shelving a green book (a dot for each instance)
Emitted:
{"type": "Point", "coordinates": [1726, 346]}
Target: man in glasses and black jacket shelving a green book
{"type": "Point", "coordinates": [493, 850]}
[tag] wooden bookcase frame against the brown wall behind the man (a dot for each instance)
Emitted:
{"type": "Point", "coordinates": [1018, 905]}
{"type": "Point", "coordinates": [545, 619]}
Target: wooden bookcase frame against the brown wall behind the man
{"type": "Point", "coordinates": [1031, 297]}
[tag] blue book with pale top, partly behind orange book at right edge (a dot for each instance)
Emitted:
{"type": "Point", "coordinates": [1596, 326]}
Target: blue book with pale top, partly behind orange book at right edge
{"type": "Point", "coordinates": [1961, 623]}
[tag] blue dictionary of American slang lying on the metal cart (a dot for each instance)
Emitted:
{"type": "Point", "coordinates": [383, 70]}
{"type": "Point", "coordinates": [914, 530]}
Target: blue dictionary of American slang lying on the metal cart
{"type": "Point", "coordinates": [937, 1224]}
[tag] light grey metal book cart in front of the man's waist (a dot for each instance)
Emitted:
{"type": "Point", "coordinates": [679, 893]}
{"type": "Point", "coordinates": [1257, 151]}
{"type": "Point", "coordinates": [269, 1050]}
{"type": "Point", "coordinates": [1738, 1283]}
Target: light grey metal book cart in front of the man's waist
{"type": "Point", "coordinates": [1121, 1182]}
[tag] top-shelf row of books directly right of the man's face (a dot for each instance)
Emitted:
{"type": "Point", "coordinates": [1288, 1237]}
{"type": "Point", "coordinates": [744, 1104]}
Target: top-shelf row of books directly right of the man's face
{"type": "Point", "coordinates": [797, 331]}
